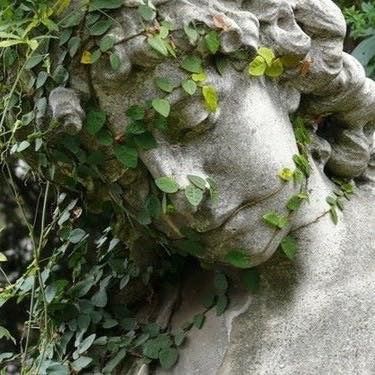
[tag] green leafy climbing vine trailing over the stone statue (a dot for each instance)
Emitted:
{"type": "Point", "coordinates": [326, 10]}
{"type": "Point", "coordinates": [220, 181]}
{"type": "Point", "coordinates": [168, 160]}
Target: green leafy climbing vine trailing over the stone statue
{"type": "Point", "coordinates": [77, 287]}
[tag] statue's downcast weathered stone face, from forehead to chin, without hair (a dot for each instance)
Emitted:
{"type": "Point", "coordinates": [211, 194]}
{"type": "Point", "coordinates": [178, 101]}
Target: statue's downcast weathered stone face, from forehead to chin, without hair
{"type": "Point", "coordinates": [242, 147]}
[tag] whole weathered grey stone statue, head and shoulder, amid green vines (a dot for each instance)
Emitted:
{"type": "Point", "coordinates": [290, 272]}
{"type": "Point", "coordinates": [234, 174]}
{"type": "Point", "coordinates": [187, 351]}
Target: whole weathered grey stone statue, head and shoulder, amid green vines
{"type": "Point", "coordinates": [311, 314]}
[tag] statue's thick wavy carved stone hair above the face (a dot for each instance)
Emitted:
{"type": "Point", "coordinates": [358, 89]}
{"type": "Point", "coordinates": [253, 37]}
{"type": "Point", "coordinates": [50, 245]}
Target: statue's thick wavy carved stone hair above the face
{"type": "Point", "coordinates": [335, 84]}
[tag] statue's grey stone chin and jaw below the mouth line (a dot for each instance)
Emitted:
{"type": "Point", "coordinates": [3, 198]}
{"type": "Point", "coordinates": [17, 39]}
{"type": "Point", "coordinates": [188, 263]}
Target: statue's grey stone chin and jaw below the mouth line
{"type": "Point", "coordinates": [242, 231]}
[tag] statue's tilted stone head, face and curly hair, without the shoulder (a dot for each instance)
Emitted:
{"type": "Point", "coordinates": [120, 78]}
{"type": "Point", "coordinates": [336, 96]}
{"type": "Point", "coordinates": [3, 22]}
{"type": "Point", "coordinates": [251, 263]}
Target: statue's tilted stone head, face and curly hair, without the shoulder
{"type": "Point", "coordinates": [249, 139]}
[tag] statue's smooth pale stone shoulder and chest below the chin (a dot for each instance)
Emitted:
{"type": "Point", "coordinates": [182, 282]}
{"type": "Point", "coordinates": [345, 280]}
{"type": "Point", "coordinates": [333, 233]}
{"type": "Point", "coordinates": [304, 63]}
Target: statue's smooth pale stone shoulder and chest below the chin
{"type": "Point", "coordinates": [315, 315]}
